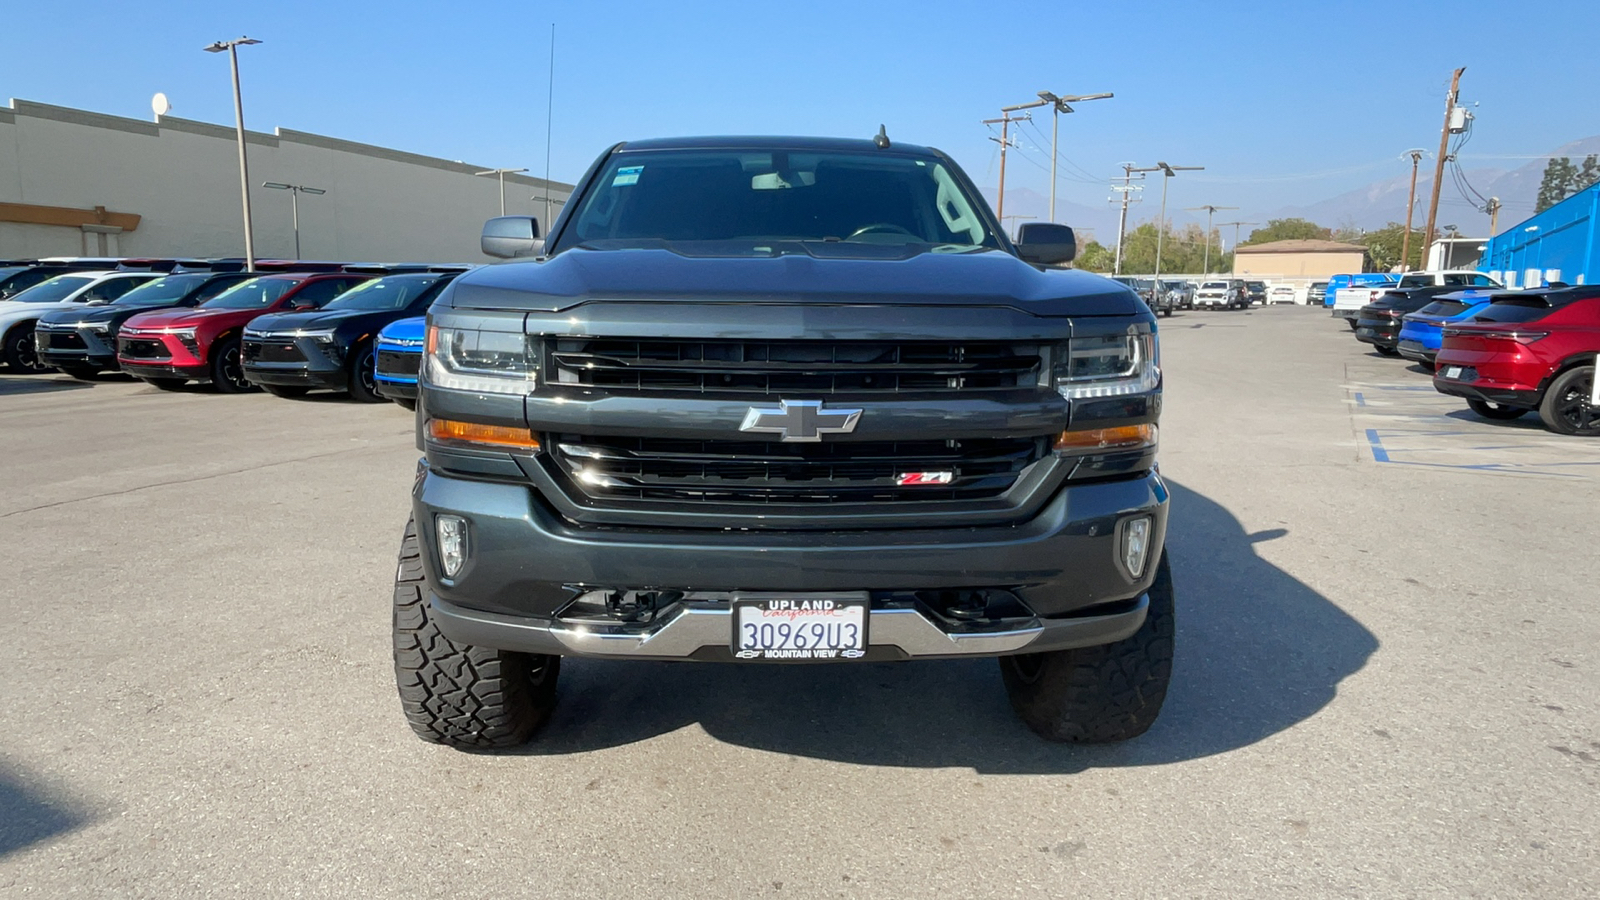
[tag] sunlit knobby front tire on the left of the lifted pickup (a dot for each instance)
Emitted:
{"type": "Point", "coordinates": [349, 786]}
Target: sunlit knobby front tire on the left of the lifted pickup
{"type": "Point", "coordinates": [455, 694]}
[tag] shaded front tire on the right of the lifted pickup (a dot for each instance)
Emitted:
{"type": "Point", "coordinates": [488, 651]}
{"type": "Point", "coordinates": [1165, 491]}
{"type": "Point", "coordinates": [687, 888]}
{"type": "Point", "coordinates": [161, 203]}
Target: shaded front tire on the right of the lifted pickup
{"type": "Point", "coordinates": [1098, 694]}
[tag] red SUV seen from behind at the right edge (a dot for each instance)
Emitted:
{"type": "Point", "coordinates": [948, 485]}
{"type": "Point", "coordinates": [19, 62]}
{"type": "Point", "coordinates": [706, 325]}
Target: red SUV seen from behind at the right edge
{"type": "Point", "coordinates": [1532, 350]}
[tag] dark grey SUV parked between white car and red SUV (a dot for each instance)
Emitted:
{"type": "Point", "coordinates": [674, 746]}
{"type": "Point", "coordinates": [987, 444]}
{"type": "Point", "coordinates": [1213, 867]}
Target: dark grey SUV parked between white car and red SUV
{"type": "Point", "coordinates": [82, 342]}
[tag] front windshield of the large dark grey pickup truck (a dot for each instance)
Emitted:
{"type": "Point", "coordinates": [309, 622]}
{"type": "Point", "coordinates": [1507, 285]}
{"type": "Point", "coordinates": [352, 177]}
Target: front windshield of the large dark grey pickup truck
{"type": "Point", "coordinates": [762, 196]}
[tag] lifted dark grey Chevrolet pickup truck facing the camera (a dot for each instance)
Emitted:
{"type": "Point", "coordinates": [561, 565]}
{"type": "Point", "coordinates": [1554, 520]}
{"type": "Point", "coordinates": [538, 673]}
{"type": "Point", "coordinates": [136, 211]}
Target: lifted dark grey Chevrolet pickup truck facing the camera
{"type": "Point", "coordinates": [785, 400]}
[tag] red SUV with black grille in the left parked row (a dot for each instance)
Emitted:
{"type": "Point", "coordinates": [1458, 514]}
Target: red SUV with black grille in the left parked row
{"type": "Point", "coordinates": [172, 347]}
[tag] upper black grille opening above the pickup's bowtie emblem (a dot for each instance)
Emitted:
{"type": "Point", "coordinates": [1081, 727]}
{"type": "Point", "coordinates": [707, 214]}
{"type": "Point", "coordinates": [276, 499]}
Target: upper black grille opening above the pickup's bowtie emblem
{"type": "Point", "coordinates": [793, 368]}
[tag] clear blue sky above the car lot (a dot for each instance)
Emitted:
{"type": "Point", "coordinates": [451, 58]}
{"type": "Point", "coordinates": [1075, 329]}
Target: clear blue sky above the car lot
{"type": "Point", "coordinates": [1284, 103]}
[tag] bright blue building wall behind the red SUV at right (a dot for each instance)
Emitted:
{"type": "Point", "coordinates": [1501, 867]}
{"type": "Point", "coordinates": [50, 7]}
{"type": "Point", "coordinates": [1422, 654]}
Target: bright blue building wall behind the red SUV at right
{"type": "Point", "coordinates": [1561, 244]}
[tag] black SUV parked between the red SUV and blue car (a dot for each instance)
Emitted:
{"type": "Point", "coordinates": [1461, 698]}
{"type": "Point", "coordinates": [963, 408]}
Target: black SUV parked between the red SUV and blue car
{"type": "Point", "coordinates": [332, 347]}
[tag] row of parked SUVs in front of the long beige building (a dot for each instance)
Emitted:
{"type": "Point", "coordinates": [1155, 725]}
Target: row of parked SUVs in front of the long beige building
{"type": "Point", "coordinates": [289, 327]}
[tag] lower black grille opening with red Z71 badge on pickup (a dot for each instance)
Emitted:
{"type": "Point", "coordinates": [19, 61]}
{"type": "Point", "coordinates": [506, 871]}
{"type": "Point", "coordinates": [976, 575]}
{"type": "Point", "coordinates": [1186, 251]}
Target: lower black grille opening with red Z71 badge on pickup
{"type": "Point", "coordinates": [753, 472]}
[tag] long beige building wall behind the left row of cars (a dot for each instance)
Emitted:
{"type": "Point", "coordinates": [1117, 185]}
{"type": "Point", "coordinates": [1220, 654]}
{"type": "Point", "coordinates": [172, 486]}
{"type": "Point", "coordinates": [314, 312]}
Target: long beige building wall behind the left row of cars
{"type": "Point", "coordinates": [84, 183]}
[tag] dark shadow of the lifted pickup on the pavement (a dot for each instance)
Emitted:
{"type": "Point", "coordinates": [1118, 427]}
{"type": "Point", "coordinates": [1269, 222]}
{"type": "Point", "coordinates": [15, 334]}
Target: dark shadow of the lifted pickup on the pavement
{"type": "Point", "coordinates": [1258, 653]}
